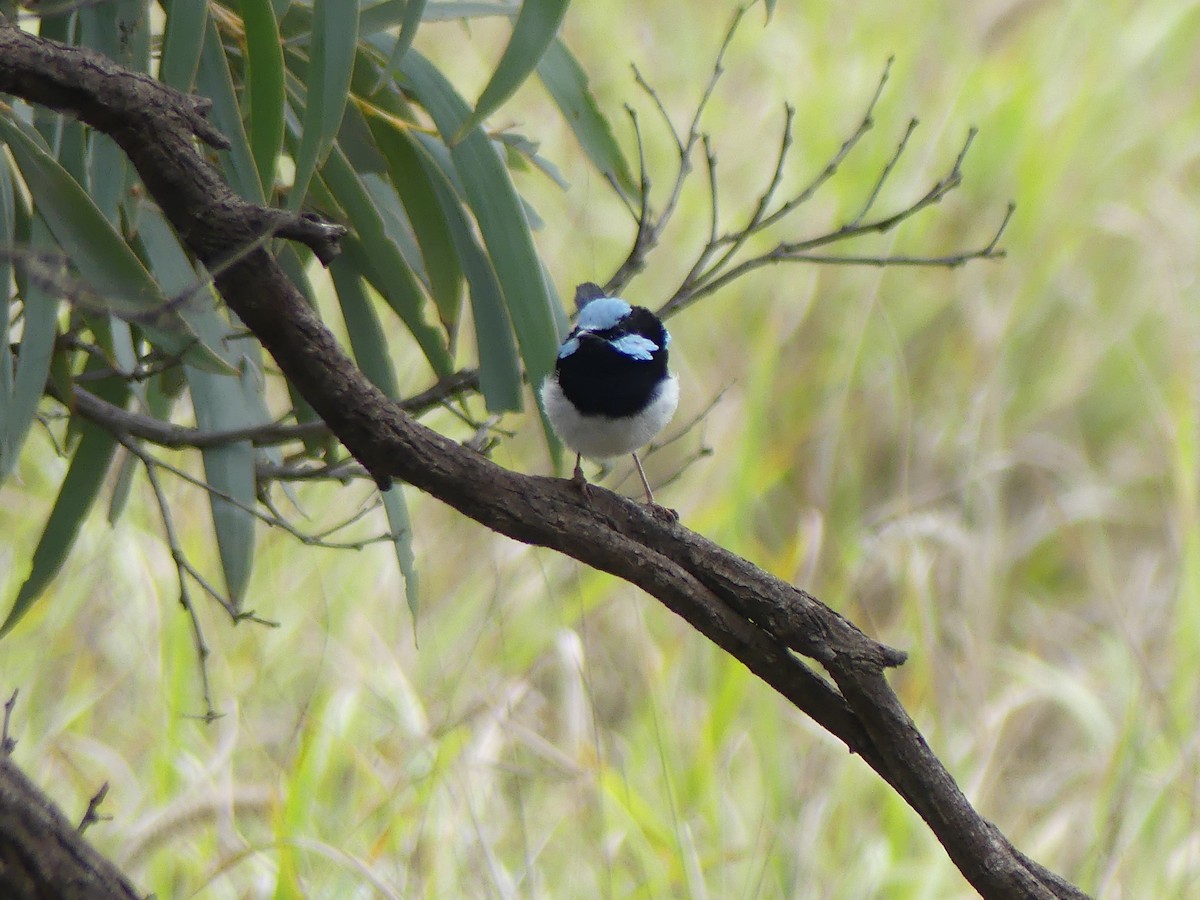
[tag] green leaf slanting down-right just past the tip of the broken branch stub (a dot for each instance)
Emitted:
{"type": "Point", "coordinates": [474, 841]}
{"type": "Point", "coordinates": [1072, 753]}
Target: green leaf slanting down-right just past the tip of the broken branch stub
{"type": "Point", "coordinates": [383, 263]}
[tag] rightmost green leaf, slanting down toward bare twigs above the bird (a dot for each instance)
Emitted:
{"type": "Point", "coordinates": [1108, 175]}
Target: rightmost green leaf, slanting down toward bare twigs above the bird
{"type": "Point", "coordinates": [568, 86]}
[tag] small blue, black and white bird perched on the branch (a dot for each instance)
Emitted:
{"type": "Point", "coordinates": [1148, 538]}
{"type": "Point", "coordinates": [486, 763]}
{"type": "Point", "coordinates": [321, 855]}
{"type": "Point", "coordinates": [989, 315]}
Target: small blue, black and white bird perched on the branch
{"type": "Point", "coordinates": [611, 392]}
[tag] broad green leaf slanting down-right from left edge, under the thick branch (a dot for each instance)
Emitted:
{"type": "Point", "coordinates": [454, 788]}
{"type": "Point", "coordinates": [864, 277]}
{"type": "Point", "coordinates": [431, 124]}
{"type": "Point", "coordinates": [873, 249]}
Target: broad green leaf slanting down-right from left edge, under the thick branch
{"type": "Point", "coordinates": [112, 272]}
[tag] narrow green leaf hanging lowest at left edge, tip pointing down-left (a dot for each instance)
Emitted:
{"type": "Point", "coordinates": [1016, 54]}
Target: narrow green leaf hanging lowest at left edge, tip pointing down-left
{"type": "Point", "coordinates": [80, 490]}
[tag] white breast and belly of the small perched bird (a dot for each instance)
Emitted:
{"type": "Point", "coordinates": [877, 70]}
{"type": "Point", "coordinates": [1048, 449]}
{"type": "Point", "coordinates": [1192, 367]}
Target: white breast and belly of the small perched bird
{"type": "Point", "coordinates": [599, 437]}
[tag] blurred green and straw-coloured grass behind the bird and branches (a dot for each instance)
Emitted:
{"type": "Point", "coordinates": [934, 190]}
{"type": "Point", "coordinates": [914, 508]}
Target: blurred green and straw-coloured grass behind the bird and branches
{"type": "Point", "coordinates": [994, 467]}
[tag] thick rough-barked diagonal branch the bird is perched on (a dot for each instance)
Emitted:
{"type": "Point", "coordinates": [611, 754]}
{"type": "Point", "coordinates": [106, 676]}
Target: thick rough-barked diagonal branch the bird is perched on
{"type": "Point", "coordinates": [751, 614]}
